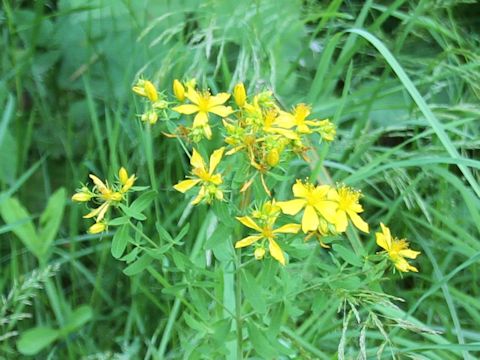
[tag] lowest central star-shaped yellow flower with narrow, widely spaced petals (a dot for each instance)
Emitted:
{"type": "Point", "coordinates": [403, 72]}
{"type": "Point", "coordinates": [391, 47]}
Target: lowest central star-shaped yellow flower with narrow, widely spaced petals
{"type": "Point", "coordinates": [268, 233]}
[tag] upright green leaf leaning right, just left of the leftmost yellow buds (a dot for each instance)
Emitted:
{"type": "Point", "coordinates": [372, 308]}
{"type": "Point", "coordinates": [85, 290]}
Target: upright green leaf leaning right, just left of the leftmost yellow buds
{"type": "Point", "coordinates": [51, 219]}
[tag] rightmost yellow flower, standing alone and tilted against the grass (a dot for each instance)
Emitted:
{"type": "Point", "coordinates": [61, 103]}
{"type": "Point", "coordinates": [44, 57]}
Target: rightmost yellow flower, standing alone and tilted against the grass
{"type": "Point", "coordinates": [396, 249]}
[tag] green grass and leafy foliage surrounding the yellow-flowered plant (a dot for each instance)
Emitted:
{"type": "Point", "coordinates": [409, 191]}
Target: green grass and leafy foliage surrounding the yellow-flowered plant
{"type": "Point", "coordinates": [400, 79]}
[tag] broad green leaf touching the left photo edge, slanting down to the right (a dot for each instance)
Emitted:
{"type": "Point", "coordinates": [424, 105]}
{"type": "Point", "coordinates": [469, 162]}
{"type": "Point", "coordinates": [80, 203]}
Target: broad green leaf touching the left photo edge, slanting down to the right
{"type": "Point", "coordinates": [13, 213]}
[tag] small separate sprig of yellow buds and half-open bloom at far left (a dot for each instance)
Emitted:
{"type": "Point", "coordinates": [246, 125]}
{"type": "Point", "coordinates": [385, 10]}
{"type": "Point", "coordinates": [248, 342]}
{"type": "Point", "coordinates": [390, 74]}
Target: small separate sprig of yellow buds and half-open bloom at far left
{"type": "Point", "coordinates": [103, 197]}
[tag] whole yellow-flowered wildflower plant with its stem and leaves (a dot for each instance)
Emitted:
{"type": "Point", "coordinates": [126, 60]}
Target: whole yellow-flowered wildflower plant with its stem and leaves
{"type": "Point", "coordinates": [240, 148]}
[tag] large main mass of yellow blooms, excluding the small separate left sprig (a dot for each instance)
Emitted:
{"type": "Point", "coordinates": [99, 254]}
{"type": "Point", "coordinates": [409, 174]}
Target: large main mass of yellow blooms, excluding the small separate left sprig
{"type": "Point", "coordinates": [259, 136]}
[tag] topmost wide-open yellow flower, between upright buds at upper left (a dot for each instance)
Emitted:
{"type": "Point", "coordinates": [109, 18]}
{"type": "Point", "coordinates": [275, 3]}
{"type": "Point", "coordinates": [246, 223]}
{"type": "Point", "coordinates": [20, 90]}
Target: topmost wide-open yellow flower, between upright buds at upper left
{"type": "Point", "coordinates": [202, 104]}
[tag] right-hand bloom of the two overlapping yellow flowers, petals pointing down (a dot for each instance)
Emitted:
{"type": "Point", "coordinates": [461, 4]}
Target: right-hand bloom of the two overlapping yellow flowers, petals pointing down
{"type": "Point", "coordinates": [348, 207]}
